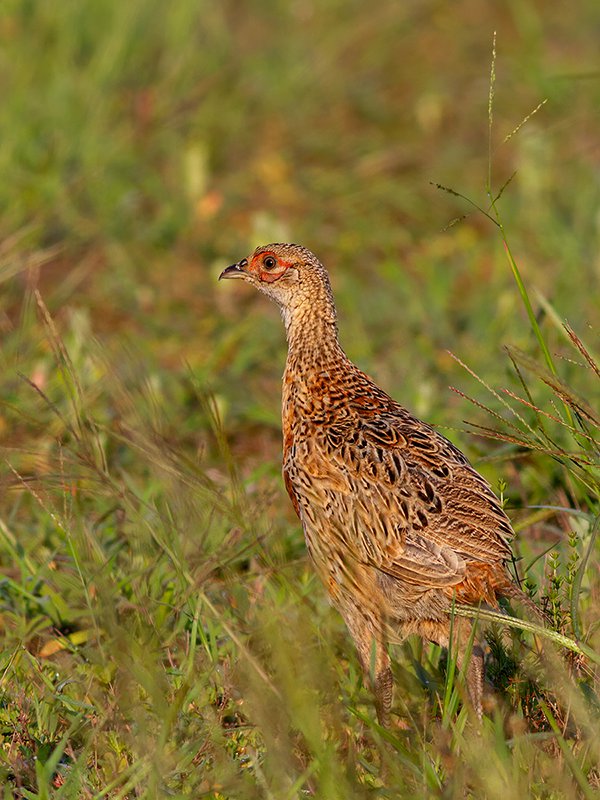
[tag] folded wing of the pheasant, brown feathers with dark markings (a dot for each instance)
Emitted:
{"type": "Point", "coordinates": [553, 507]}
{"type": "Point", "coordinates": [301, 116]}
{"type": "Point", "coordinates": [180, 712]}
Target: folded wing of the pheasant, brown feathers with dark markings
{"type": "Point", "coordinates": [405, 500]}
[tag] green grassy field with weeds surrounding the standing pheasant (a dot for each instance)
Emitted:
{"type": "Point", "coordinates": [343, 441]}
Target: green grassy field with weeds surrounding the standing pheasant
{"type": "Point", "coordinates": [163, 634]}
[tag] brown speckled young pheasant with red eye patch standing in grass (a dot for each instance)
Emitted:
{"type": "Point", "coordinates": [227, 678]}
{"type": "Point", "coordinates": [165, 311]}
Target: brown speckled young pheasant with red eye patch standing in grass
{"type": "Point", "coordinates": [397, 523]}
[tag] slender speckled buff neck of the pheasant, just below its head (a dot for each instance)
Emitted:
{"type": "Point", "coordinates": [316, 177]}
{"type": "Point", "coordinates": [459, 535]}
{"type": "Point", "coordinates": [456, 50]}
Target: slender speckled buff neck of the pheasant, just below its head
{"type": "Point", "coordinates": [312, 334]}
